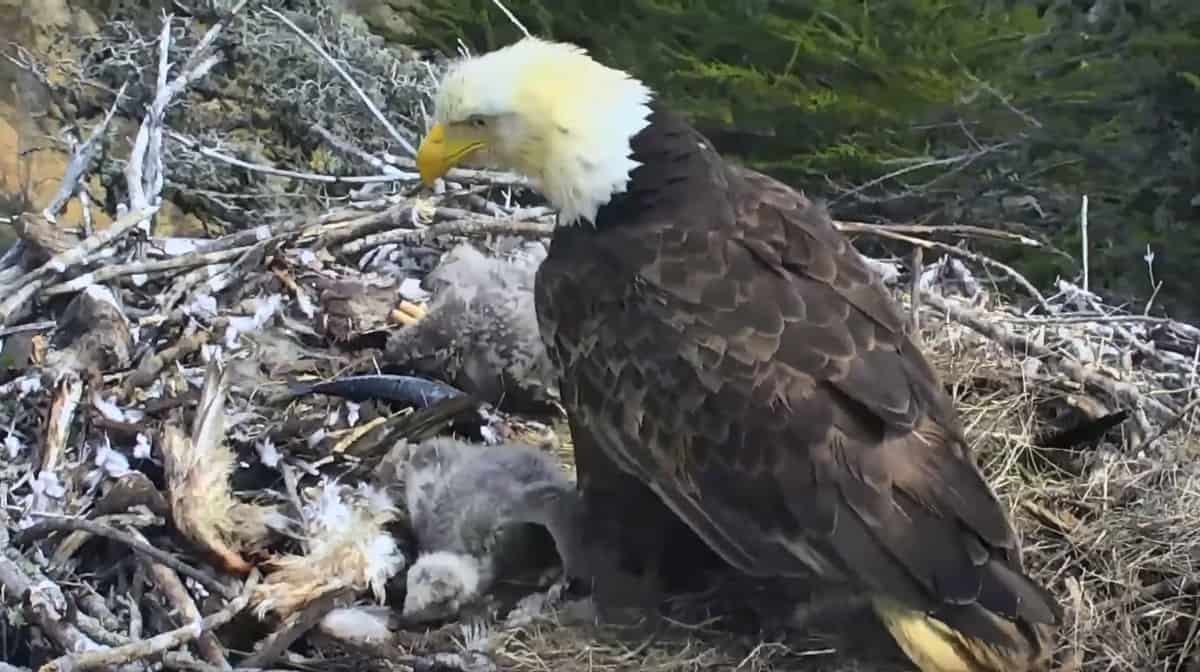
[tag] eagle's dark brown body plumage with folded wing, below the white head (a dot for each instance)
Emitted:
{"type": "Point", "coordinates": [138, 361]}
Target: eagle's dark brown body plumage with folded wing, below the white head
{"type": "Point", "coordinates": [736, 355]}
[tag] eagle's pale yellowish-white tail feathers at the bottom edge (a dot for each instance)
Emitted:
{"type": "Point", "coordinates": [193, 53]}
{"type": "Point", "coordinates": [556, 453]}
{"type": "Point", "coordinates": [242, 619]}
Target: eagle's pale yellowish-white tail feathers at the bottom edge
{"type": "Point", "coordinates": [933, 646]}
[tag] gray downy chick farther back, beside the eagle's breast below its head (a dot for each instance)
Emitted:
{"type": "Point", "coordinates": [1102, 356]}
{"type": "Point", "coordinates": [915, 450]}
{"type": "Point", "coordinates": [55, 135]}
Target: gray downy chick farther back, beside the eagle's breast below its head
{"type": "Point", "coordinates": [481, 331]}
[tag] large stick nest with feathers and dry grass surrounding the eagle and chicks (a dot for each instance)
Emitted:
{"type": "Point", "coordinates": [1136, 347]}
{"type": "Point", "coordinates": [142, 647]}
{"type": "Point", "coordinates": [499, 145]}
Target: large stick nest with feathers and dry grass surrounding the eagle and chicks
{"type": "Point", "coordinates": [163, 471]}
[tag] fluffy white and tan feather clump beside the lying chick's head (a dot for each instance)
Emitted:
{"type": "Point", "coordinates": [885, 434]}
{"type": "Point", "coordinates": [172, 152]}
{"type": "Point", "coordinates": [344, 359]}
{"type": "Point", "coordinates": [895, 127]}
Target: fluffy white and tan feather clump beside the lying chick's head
{"type": "Point", "coordinates": [345, 548]}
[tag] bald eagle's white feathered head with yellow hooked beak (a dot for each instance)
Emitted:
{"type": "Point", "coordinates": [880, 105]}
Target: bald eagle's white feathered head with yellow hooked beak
{"type": "Point", "coordinates": [543, 110]}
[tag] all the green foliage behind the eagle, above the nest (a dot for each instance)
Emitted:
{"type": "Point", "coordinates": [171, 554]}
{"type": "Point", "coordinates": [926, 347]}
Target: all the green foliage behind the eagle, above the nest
{"type": "Point", "coordinates": [1088, 98]}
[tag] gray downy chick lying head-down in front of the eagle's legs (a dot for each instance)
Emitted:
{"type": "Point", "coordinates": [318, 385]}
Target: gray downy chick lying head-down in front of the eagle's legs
{"type": "Point", "coordinates": [471, 509]}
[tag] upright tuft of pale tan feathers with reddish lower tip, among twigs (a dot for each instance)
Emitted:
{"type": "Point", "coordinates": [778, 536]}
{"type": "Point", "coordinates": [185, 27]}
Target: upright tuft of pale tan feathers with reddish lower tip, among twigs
{"type": "Point", "coordinates": [199, 471]}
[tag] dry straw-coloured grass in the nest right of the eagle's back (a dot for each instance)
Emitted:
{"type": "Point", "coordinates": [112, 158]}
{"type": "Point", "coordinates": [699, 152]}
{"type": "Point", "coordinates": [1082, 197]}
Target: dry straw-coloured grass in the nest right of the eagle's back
{"type": "Point", "coordinates": [1117, 538]}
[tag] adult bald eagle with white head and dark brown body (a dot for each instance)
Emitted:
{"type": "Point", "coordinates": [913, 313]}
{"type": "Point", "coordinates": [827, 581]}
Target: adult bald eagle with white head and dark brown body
{"type": "Point", "coordinates": [722, 346]}
